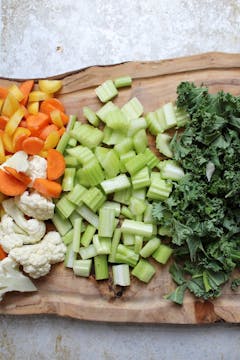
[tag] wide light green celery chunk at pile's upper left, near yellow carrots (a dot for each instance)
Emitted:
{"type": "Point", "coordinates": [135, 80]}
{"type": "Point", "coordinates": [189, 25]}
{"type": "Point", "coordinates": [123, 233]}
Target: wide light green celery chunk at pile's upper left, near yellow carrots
{"type": "Point", "coordinates": [88, 135]}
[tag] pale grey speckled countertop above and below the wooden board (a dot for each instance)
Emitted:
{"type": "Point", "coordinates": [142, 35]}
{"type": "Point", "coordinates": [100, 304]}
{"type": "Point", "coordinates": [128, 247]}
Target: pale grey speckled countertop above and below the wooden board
{"type": "Point", "coordinates": [47, 37]}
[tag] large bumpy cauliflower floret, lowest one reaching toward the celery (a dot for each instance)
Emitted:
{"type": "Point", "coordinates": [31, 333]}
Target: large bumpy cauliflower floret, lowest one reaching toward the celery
{"type": "Point", "coordinates": [37, 259]}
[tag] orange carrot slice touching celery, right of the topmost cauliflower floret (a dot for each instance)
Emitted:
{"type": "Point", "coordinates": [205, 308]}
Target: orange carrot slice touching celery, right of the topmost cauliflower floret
{"type": "Point", "coordinates": [55, 164]}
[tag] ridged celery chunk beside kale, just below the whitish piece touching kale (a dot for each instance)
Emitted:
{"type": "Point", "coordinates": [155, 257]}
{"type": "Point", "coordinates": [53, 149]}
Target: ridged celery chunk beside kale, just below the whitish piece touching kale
{"type": "Point", "coordinates": [159, 189]}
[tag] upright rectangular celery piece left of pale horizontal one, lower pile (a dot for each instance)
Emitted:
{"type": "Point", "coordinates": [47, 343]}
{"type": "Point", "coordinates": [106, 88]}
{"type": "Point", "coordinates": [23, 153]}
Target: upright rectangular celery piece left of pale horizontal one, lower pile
{"type": "Point", "coordinates": [106, 222]}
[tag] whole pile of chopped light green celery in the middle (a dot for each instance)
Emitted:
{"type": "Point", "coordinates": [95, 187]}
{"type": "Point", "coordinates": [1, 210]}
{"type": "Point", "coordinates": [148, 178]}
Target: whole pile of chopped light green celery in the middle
{"type": "Point", "coordinates": [105, 213]}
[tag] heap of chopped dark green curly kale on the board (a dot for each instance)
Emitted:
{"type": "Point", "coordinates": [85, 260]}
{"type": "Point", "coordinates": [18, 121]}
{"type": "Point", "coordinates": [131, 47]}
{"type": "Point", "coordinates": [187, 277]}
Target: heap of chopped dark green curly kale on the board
{"type": "Point", "coordinates": [203, 212]}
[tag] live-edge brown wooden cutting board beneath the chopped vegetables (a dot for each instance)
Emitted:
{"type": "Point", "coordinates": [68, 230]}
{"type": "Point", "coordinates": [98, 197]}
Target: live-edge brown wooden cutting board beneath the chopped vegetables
{"type": "Point", "coordinates": [61, 292]}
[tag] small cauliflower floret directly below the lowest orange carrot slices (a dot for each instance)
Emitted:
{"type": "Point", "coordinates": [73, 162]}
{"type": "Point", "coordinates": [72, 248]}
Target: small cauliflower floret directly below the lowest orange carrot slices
{"type": "Point", "coordinates": [35, 205]}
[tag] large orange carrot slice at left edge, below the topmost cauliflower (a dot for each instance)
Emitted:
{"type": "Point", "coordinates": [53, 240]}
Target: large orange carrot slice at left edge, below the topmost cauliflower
{"type": "Point", "coordinates": [9, 185]}
